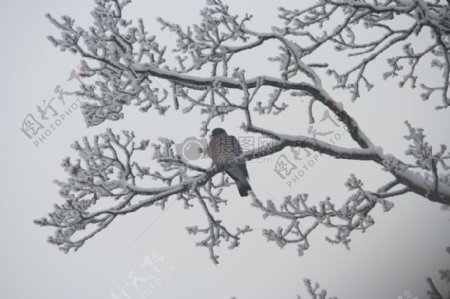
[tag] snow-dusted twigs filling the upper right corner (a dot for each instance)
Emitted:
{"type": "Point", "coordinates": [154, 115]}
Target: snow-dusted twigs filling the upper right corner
{"type": "Point", "coordinates": [430, 18]}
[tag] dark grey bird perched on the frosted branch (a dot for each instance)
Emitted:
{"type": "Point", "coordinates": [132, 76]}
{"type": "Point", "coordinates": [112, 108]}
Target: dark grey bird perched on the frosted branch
{"type": "Point", "coordinates": [223, 148]}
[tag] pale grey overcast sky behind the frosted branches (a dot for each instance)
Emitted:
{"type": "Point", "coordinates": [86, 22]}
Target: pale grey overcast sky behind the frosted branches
{"type": "Point", "coordinates": [396, 254]}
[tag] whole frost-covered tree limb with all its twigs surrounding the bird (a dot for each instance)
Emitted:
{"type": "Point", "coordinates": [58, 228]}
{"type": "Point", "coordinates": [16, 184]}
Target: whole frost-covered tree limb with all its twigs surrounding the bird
{"type": "Point", "coordinates": [122, 62]}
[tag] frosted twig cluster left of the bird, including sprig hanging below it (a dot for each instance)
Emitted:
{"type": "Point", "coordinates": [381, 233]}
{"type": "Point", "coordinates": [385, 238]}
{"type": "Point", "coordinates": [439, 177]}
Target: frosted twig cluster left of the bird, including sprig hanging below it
{"type": "Point", "coordinates": [108, 174]}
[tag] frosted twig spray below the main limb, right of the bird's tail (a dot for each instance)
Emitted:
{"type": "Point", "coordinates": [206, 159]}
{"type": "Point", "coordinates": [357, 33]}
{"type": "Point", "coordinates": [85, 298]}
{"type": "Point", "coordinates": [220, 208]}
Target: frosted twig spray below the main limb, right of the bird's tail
{"type": "Point", "coordinates": [352, 216]}
